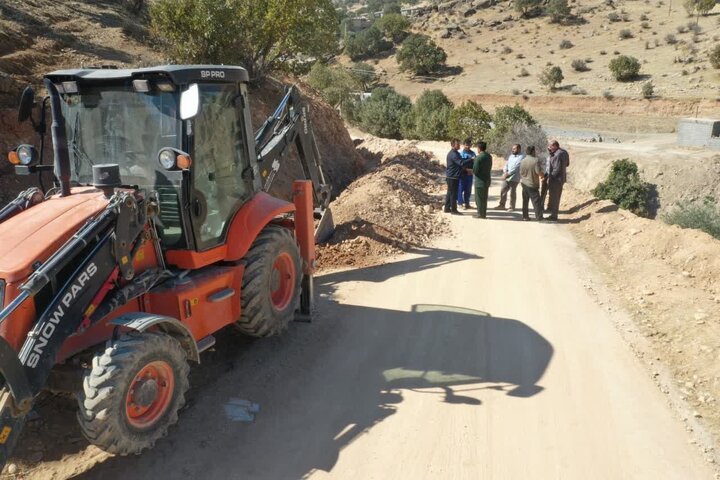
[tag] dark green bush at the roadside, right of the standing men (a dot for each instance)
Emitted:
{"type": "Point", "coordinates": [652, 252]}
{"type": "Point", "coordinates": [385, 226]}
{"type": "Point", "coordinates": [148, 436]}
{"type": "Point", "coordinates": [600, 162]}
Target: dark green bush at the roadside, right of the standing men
{"type": "Point", "coordinates": [625, 188]}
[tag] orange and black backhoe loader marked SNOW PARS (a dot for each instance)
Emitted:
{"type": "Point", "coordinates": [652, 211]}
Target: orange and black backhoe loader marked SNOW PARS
{"type": "Point", "coordinates": [157, 232]}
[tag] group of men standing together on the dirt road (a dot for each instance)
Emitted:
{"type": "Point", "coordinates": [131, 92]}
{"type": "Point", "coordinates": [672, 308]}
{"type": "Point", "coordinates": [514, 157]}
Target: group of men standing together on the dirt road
{"type": "Point", "coordinates": [539, 179]}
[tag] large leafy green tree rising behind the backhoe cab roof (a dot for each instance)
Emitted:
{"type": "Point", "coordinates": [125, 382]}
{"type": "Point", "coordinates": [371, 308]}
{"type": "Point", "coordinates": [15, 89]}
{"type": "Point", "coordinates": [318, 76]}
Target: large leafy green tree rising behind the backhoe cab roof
{"type": "Point", "coordinates": [261, 36]}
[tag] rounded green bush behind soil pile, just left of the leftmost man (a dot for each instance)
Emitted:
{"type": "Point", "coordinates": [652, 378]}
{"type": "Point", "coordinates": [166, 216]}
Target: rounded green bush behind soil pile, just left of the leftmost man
{"type": "Point", "coordinates": [429, 117]}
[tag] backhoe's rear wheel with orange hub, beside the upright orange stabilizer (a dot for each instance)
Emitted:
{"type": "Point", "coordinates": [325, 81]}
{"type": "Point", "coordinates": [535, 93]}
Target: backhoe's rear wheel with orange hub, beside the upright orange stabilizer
{"type": "Point", "coordinates": [271, 283]}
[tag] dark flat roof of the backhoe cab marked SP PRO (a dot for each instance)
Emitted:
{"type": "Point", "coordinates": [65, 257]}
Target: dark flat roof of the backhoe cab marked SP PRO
{"type": "Point", "coordinates": [178, 74]}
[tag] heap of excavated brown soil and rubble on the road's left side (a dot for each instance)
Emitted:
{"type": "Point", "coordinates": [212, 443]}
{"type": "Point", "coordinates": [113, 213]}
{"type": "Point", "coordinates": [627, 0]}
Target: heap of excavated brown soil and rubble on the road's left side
{"type": "Point", "coordinates": [390, 210]}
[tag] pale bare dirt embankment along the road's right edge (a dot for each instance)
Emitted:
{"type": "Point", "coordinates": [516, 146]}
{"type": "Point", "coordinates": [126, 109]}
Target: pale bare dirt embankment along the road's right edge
{"type": "Point", "coordinates": [669, 280]}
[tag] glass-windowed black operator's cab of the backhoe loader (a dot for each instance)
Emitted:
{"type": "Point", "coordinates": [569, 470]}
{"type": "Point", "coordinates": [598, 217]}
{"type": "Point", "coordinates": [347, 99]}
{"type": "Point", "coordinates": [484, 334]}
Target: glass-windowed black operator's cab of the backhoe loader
{"type": "Point", "coordinates": [179, 132]}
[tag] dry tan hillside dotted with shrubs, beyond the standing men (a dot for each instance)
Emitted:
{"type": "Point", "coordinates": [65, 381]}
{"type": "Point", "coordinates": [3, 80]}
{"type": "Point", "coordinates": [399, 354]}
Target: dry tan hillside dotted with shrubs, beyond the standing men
{"type": "Point", "coordinates": [501, 54]}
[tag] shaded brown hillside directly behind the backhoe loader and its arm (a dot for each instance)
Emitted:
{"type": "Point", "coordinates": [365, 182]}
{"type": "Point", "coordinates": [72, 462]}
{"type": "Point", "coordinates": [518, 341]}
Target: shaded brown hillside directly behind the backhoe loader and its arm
{"type": "Point", "coordinates": [38, 36]}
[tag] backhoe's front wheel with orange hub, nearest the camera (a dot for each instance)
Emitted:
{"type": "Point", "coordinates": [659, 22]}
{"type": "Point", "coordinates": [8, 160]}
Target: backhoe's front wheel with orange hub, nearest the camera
{"type": "Point", "coordinates": [133, 392]}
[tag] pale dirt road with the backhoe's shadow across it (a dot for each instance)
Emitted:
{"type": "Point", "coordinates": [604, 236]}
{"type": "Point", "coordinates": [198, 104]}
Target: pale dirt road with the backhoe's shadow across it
{"type": "Point", "coordinates": [483, 357]}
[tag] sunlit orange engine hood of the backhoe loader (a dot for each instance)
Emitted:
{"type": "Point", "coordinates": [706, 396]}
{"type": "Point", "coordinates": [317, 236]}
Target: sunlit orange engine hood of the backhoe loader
{"type": "Point", "coordinates": [33, 235]}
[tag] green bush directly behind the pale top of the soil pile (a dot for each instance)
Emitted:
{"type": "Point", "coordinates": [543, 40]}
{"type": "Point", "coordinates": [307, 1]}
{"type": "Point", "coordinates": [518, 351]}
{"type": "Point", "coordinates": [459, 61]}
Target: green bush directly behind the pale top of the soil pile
{"type": "Point", "coordinates": [380, 114]}
